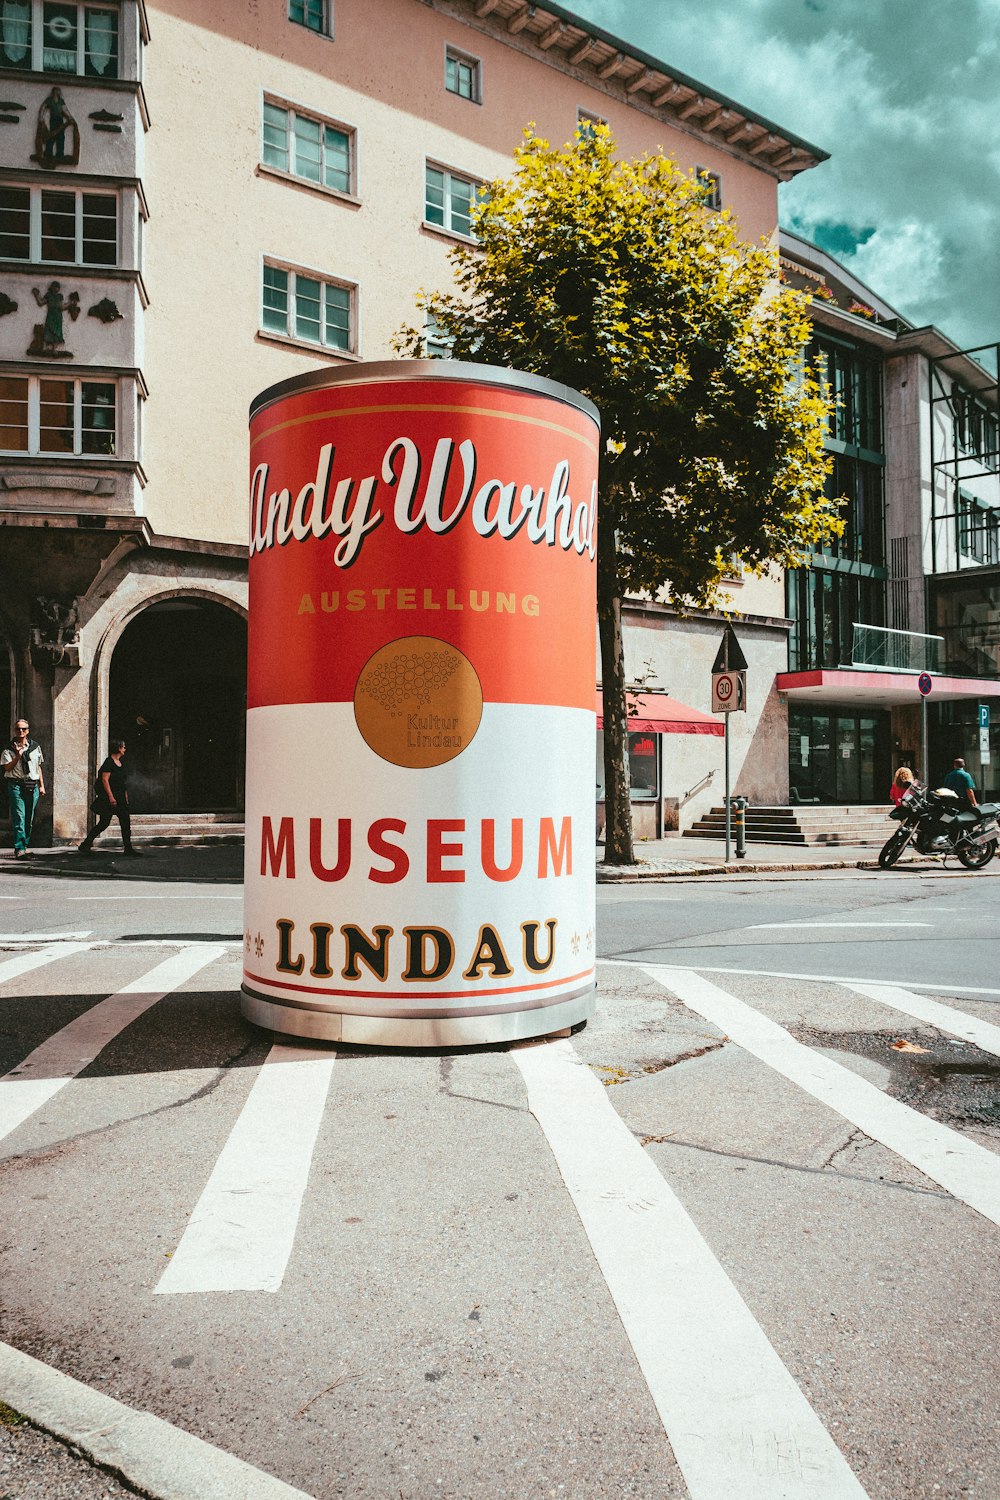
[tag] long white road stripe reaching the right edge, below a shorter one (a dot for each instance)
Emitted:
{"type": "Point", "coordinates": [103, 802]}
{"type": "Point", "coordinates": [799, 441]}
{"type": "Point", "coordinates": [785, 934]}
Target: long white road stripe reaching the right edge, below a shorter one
{"type": "Point", "coordinates": [968, 1171]}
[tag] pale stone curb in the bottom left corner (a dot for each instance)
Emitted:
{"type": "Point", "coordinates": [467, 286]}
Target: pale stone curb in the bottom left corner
{"type": "Point", "coordinates": [157, 1459]}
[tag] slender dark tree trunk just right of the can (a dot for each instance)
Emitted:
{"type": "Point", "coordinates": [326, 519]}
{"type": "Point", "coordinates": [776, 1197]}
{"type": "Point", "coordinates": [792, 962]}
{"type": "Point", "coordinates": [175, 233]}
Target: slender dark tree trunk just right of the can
{"type": "Point", "coordinates": [618, 829]}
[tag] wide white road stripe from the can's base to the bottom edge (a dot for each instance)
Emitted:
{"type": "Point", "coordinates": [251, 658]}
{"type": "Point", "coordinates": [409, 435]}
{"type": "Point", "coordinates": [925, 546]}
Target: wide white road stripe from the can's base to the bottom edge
{"type": "Point", "coordinates": [737, 1421]}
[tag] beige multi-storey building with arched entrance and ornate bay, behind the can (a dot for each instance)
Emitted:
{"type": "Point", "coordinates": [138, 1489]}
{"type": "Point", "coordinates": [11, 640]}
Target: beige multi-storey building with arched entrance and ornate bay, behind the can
{"type": "Point", "coordinates": [200, 200]}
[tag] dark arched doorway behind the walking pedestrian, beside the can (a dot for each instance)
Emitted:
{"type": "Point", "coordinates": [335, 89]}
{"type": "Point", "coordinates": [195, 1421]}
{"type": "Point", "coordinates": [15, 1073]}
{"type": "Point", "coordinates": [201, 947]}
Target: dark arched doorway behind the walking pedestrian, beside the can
{"type": "Point", "coordinates": [178, 697]}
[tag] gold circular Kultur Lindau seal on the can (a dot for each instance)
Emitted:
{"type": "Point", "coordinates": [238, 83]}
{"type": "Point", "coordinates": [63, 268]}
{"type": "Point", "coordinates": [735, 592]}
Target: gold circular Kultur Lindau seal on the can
{"type": "Point", "coordinates": [419, 703]}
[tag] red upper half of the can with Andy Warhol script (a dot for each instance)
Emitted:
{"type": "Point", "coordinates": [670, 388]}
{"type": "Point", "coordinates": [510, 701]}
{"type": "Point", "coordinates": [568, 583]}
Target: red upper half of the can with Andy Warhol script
{"type": "Point", "coordinates": [454, 509]}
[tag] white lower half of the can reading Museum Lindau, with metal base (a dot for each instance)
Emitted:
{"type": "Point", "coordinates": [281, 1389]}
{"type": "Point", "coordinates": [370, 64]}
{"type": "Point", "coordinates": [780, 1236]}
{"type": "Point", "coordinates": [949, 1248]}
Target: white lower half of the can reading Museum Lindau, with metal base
{"type": "Point", "coordinates": [436, 934]}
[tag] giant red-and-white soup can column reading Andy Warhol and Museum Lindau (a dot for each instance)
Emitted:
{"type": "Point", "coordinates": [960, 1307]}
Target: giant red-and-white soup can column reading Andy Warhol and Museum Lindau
{"type": "Point", "coordinates": [421, 722]}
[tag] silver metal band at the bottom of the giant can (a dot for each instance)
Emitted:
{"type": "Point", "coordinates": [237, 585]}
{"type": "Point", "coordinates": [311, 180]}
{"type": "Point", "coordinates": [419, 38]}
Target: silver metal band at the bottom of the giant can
{"type": "Point", "coordinates": [422, 1031]}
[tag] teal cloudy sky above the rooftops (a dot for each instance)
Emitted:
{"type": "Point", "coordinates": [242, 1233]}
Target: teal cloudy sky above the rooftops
{"type": "Point", "coordinates": [906, 98]}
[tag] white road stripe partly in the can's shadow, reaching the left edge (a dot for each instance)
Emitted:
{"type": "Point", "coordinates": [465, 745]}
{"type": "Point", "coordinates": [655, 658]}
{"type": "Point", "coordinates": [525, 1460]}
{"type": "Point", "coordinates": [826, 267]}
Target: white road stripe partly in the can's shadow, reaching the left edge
{"type": "Point", "coordinates": [68, 1052]}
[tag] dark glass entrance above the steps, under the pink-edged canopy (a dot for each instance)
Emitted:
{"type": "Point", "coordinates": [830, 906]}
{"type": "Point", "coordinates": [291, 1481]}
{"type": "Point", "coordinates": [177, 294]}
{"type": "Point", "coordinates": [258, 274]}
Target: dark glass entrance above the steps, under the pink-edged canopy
{"type": "Point", "coordinates": [839, 757]}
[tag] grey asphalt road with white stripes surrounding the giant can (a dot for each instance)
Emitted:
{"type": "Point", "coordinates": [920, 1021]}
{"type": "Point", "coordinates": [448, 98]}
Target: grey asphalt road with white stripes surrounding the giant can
{"type": "Point", "coordinates": [737, 1240]}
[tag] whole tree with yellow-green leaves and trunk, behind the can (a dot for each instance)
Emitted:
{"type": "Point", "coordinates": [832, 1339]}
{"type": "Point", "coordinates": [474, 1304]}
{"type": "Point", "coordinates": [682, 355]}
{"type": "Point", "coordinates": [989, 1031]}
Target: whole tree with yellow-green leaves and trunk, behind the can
{"type": "Point", "coordinates": [614, 278]}
